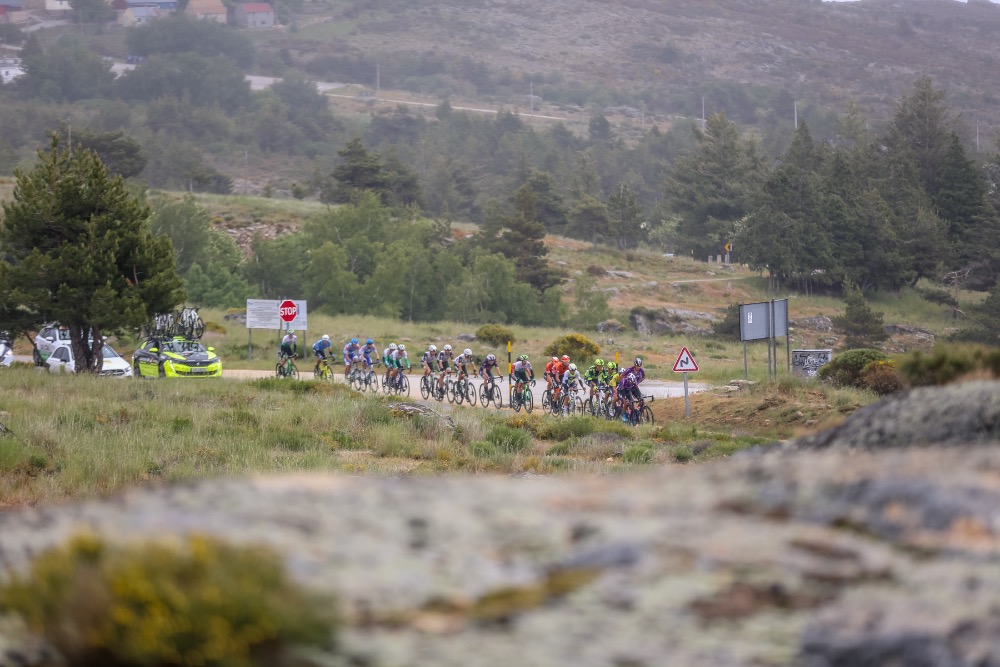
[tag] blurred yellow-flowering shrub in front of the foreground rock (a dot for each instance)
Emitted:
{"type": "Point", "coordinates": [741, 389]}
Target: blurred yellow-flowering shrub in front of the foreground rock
{"type": "Point", "coordinates": [159, 604]}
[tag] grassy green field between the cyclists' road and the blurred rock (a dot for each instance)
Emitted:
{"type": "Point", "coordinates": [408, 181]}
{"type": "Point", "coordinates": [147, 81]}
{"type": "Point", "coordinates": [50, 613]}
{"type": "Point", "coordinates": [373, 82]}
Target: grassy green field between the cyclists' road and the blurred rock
{"type": "Point", "coordinates": [108, 436]}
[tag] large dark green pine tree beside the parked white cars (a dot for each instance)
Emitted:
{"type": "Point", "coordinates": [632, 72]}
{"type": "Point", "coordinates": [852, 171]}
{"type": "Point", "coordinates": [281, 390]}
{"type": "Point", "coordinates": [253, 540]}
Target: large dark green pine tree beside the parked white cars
{"type": "Point", "coordinates": [78, 250]}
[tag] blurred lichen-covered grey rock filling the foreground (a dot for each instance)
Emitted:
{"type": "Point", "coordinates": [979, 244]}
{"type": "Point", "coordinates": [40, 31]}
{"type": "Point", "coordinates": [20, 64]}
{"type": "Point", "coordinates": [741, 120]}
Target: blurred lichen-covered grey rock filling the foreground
{"type": "Point", "coordinates": [855, 550]}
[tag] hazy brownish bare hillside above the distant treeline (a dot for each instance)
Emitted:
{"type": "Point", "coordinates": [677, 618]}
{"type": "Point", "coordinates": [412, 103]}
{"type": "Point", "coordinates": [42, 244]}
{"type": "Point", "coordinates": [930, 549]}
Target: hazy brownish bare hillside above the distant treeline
{"type": "Point", "coordinates": [664, 55]}
